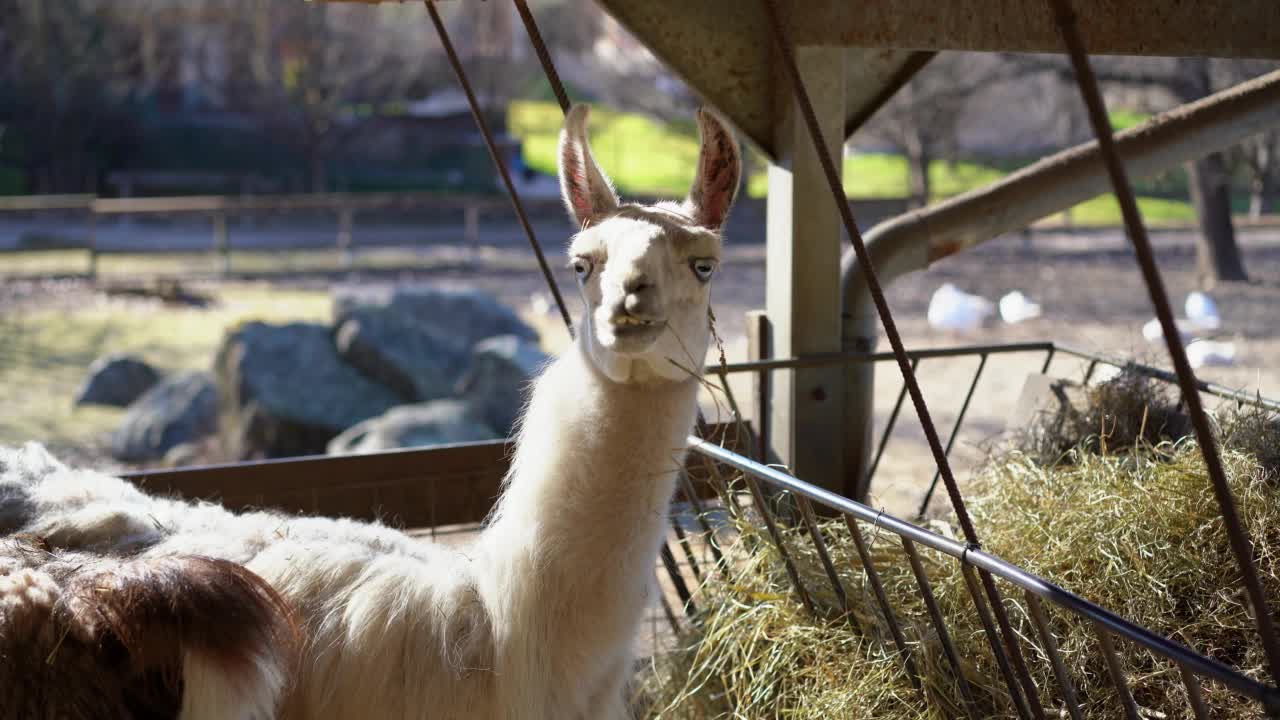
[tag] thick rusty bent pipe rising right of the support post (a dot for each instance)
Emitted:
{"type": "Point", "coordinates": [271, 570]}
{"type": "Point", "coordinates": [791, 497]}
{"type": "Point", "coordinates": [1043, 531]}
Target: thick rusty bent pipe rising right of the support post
{"type": "Point", "coordinates": [915, 240]}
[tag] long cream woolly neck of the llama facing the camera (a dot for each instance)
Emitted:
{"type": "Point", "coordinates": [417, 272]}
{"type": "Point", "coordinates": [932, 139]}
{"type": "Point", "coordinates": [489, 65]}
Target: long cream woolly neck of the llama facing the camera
{"type": "Point", "coordinates": [593, 473]}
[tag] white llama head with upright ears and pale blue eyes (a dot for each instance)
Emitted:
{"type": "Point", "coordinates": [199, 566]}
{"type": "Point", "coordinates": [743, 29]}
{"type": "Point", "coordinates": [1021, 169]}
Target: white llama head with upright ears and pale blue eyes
{"type": "Point", "coordinates": [646, 271]}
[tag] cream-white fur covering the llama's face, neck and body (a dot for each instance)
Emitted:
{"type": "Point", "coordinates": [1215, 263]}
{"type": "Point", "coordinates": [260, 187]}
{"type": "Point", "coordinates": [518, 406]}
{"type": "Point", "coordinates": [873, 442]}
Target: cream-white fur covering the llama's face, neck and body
{"type": "Point", "coordinates": [536, 619]}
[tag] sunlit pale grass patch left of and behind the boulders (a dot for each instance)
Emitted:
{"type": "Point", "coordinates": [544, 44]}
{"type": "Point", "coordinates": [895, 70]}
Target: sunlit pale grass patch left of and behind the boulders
{"type": "Point", "coordinates": [44, 353]}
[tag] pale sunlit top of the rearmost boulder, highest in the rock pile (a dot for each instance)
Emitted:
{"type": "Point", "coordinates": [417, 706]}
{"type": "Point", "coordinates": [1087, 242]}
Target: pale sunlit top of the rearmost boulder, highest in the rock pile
{"type": "Point", "coordinates": [465, 315]}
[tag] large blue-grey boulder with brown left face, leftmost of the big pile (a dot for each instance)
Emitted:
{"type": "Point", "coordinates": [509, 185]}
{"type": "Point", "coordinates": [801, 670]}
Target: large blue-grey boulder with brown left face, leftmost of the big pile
{"type": "Point", "coordinates": [284, 391]}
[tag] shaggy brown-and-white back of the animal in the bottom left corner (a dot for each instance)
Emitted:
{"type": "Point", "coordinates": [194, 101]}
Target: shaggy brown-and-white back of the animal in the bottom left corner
{"type": "Point", "coordinates": [103, 637]}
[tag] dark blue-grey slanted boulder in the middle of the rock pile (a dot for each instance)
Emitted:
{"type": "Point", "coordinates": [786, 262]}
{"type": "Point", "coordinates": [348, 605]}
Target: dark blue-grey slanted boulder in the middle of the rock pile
{"type": "Point", "coordinates": [415, 361]}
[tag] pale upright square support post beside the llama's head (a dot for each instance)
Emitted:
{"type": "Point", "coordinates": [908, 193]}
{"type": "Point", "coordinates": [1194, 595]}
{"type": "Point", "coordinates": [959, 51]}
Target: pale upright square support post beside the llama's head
{"type": "Point", "coordinates": [803, 282]}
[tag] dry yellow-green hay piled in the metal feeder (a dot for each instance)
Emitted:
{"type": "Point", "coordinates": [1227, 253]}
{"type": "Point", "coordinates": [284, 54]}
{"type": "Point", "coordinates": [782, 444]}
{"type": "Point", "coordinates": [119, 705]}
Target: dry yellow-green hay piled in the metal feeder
{"type": "Point", "coordinates": [1136, 530]}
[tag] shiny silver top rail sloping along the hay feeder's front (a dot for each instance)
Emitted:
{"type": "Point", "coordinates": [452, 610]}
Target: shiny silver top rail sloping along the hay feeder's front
{"type": "Point", "coordinates": [1059, 596]}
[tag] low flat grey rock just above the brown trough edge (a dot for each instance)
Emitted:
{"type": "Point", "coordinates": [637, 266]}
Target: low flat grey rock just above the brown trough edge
{"type": "Point", "coordinates": [414, 426]}
